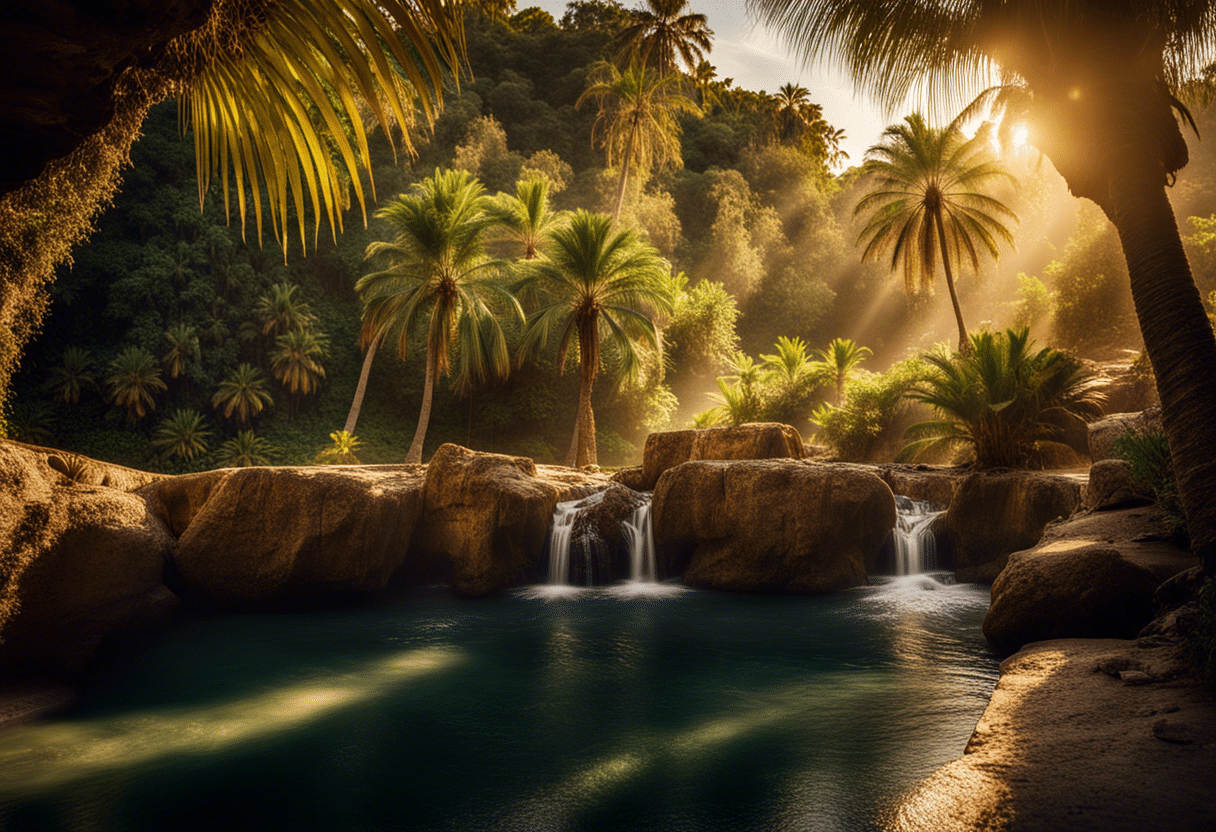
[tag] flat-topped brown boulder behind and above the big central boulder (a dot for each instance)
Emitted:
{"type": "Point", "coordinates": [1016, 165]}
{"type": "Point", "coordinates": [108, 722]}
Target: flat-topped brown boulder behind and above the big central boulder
{"type": "Point", "coordinates": [757, 441]}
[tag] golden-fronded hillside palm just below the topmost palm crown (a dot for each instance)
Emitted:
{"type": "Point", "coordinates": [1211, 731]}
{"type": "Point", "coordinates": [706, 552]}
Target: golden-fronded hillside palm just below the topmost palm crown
{"type": "Point", "coordinates": [638, 125]}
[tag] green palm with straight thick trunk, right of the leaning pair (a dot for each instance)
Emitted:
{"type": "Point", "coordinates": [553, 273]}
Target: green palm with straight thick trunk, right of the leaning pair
{"type": "Point", "coordinates": [593, 274]}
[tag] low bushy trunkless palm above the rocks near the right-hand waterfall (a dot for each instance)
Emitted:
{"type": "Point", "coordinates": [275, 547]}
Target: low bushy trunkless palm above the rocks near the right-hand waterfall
{"type": "Point", "coordinates": [999, 401]}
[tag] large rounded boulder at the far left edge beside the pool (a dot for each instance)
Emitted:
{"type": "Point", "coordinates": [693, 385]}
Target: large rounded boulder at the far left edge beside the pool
{"type": "Point", "coordinates": [78, 564]}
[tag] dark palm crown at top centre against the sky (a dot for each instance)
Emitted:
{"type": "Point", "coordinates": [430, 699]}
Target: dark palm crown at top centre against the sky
{"type": "Point", "coordinates": [658, 33]}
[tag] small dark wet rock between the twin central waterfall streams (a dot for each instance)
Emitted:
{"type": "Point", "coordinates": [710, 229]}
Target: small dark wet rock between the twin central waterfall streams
{"type": "Point", "coordinates": [598, 542]}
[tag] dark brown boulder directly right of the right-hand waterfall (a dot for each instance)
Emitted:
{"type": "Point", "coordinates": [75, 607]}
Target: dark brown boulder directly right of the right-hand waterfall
{"type": "Point", "coordinates": [998, 513]}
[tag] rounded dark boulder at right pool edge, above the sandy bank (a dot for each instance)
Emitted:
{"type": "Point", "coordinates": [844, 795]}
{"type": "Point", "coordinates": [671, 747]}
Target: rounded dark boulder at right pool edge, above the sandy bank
{"type": "Point", "coordinates": [1091, 577]}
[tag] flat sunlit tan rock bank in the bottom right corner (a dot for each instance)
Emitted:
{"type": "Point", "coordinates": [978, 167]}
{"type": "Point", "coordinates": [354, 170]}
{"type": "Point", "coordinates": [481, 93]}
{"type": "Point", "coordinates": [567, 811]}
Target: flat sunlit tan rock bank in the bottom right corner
{"type": "Point", "coordinates": [1061, 747]}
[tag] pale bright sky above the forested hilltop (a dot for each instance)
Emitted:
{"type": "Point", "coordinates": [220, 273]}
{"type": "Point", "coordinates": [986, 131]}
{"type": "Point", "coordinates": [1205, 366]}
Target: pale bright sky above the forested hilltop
{"type": "Point", "coordinates": [757, 60]}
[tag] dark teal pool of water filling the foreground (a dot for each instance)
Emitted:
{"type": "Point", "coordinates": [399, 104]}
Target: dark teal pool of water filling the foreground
{"type": "Point", "coordinates": [598, 710]}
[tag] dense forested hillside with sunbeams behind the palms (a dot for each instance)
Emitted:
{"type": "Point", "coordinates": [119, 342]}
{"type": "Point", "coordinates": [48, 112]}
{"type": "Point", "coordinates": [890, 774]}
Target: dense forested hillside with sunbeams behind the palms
{"type": "Point", "coordinates": [226, 352]}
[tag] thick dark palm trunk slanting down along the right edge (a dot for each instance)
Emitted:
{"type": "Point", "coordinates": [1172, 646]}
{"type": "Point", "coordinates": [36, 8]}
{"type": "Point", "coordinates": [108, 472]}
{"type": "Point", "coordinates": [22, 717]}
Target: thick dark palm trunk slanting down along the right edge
{"type": "Point", "coordinates": [1179, 341]}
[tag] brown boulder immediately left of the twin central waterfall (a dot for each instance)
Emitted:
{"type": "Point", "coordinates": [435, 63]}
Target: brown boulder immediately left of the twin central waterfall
{"type": "Point", "coordinates": [487, 516]}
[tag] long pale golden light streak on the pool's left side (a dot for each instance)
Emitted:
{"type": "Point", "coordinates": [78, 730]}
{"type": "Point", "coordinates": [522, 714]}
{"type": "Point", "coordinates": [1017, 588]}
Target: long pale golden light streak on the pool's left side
{"type": "Point", "coordinates": [54, 755]}
